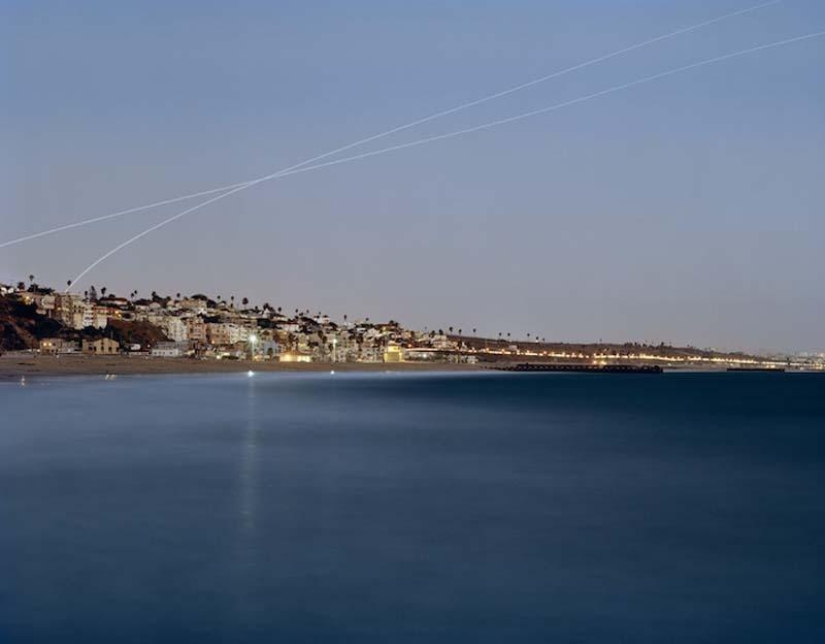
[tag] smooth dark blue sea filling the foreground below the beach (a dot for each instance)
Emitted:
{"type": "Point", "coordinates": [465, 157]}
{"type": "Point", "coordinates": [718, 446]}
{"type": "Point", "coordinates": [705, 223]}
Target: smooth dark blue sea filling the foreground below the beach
{"type": "Point", "coordinates": [387, 508]}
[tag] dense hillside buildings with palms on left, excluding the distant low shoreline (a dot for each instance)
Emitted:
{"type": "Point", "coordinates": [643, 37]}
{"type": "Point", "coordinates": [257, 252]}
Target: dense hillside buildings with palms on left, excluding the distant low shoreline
{"type": "Point", "coordinates": [200, 326]}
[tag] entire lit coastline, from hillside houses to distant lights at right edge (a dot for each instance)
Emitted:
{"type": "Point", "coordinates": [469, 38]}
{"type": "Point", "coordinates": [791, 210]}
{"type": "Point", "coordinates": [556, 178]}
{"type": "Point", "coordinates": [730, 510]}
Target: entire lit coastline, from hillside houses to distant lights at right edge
{"type": "Point", "coordinates": [45, 321]}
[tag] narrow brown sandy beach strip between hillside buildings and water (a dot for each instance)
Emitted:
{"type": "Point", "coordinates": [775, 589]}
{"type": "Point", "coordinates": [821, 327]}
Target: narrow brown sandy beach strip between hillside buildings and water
{"type": "Point", "coordinates": [15, 365]}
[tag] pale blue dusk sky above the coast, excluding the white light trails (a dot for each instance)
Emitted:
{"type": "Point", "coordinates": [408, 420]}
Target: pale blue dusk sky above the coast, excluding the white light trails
{"type": "Point", "coordinates": [688, 210]}
